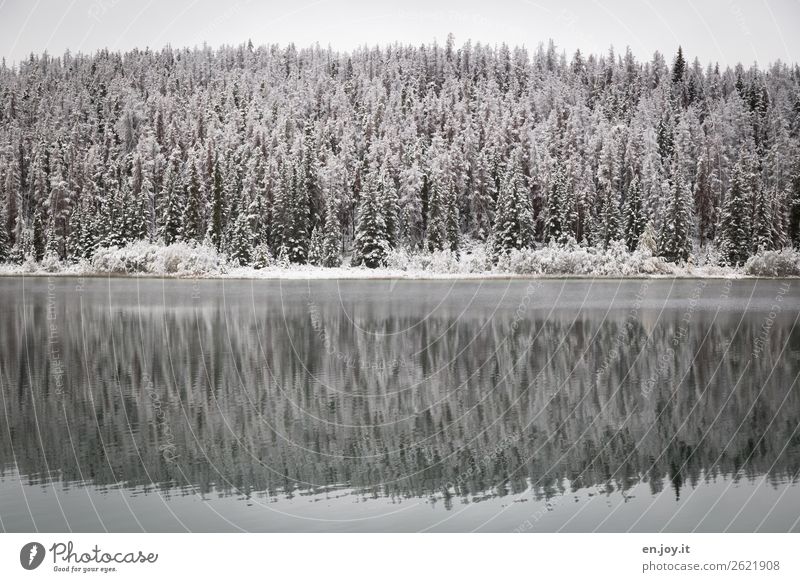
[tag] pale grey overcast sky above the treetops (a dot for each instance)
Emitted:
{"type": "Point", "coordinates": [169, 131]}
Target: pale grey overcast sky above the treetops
{"type": "Point", "coordinates": [725, 31]}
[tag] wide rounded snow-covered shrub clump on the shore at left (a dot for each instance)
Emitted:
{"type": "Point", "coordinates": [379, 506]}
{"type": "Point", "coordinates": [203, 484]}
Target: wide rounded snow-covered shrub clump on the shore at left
{"type": "Point", "coordinates": [150, 258]}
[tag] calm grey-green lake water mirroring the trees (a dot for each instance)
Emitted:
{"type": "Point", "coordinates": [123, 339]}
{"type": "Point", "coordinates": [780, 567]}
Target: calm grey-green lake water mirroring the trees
{"type": "Point", "coordinates": [165, 405]}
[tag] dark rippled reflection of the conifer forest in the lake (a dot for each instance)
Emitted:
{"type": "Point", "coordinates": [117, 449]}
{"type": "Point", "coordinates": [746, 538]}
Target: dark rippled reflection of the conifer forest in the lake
{"type": "Point", "coordinates": [296, 396]}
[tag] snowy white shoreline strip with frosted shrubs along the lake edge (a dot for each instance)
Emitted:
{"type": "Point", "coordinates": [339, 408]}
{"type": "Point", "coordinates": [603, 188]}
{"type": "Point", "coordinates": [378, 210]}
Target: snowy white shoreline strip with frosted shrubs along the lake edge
{"type": "Point", "coordinates": [571, 260]}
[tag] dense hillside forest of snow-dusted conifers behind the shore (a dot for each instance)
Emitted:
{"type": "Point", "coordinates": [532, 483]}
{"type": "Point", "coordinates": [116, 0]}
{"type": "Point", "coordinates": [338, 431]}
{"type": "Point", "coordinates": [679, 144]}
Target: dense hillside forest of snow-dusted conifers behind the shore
{"type": "Point", "coordinates": [314, 156]}
